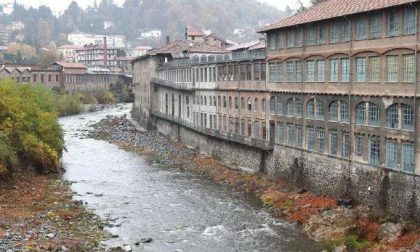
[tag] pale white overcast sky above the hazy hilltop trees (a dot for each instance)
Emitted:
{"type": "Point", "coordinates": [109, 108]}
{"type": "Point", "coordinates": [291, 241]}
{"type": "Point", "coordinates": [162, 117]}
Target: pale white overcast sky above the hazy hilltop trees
{"type": "Point", "coordinates": [60, 5]}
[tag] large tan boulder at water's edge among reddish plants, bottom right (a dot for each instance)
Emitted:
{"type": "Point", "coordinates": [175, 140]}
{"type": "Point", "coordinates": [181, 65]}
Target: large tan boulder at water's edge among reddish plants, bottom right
{"type": "Point", "coordinates": [330, 225]}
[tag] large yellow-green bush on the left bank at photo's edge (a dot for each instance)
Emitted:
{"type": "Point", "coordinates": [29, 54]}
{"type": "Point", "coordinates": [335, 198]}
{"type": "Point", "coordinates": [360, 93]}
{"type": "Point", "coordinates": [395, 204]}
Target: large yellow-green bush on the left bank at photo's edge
{"type": "Point", "coordinates": [29, 129]}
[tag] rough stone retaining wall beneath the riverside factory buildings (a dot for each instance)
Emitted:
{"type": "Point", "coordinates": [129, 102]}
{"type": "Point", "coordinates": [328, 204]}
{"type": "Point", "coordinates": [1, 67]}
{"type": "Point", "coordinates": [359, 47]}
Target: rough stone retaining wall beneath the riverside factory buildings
{"type": "Point", "coordinates": [381, 189]}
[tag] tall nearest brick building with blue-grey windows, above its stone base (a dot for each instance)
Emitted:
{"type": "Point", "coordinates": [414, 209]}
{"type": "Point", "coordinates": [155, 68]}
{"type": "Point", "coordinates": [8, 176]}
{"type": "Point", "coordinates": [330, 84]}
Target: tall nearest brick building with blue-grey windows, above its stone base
{"type": "Point", "coordinates": [343, 82]}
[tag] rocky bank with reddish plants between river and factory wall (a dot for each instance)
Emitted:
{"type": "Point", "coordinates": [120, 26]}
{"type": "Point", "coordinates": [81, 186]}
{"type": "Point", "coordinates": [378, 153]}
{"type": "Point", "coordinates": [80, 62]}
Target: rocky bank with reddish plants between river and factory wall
{"type": "Point", "coordinates": [336, 223]}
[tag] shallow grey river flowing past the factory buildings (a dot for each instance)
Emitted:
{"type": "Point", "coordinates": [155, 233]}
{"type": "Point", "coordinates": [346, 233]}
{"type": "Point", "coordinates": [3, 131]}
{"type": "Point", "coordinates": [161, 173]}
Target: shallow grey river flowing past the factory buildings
{"type": "Point", "coordinates": [179, 211]}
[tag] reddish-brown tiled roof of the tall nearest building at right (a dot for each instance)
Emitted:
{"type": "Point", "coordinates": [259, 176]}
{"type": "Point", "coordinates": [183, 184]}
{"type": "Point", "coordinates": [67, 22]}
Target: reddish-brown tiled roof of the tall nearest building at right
{"type": "Point", "coordinates": [332, 9]}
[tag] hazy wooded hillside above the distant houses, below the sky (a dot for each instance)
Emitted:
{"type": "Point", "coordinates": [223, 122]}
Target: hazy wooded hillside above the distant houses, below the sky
{"type": "Point", "coordinates": [136, 16]}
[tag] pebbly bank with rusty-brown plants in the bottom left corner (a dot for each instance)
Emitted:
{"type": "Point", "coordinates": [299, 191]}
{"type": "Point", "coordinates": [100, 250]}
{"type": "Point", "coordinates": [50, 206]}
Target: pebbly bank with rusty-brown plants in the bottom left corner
{"type": "Point", "coordinates": [38, 213]}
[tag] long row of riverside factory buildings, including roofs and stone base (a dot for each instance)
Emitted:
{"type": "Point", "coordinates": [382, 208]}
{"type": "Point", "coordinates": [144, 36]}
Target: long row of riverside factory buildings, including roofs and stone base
{"type": "Point", "coordinates": [330, 103]}
